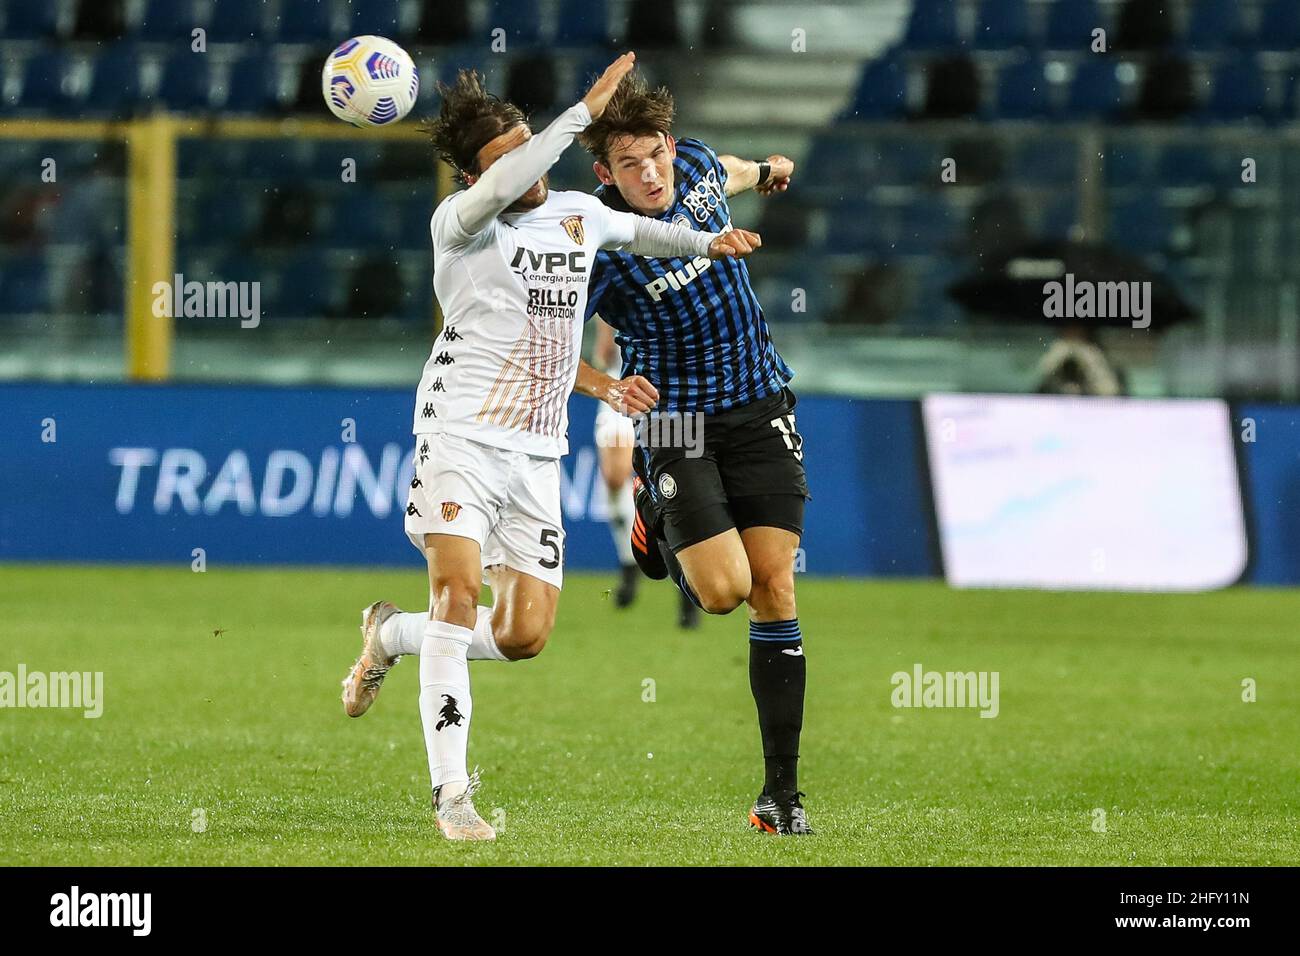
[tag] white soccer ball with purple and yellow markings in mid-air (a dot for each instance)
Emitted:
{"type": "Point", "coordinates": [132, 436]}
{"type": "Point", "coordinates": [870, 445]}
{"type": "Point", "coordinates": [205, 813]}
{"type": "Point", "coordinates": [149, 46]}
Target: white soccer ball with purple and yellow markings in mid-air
{"type": "Point", "coordinates": [370, 81]}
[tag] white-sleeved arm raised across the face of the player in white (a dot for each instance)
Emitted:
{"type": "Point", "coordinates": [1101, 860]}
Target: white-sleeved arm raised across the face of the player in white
{"type": "Point", "coordinates": [531, 158]}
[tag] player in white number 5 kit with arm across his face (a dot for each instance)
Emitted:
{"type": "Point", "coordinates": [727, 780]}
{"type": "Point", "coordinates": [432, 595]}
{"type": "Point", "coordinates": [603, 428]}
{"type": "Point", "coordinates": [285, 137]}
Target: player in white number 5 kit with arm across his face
{"type": "Point", "coordinates": [512, 270]}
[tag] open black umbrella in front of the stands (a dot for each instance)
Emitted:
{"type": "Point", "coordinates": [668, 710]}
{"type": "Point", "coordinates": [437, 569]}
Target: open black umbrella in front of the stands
{"type": "Point", "coordinates": [1072, 284]}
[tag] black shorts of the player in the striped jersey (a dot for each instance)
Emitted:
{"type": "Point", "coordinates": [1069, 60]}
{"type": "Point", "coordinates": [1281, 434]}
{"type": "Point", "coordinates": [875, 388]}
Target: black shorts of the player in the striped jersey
{"type": "Point", "coordinates": [747, 471]}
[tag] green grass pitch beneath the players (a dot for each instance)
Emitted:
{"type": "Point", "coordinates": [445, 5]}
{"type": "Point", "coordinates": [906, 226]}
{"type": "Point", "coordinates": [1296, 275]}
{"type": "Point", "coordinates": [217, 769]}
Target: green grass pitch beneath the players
{"type": "Point", "coordinates": [1132, 704]}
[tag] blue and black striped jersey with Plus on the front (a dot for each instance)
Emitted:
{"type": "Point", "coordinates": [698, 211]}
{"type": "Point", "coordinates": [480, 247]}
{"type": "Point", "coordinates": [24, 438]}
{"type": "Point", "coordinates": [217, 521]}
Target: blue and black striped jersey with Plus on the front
{"type": "Point", "coordinates": [694, 327]}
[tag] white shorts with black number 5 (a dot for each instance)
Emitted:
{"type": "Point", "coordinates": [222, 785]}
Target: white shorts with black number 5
{"type": "Point", "coordinates": [506, 501]}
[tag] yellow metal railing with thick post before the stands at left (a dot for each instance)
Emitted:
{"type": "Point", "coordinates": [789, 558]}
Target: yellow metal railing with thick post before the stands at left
{"type": "Point", "coordinates": [151, 146]}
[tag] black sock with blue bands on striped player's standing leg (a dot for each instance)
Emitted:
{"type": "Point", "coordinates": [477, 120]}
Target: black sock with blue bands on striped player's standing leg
{"type": "Point", "coordinates": [777, 677]}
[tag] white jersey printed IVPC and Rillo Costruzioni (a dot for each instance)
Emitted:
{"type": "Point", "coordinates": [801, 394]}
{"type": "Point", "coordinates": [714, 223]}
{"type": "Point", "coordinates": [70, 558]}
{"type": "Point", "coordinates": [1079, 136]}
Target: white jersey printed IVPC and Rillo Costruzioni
{"type": "Point", "coordinates": [514, 304]}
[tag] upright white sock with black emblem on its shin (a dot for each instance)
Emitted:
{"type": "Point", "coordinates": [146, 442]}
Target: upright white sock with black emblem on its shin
{"type": "Point", "coordinates": [445, 706]}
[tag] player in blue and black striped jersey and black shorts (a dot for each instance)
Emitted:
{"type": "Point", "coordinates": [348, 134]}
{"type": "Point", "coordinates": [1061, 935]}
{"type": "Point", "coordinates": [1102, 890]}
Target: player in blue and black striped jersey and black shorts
{"type": "Point", "coordinates": [722, 517]}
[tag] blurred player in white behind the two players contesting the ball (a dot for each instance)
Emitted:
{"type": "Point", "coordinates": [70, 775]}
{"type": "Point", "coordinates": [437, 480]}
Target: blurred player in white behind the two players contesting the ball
{"type": "Point", "coordinates": [616, 438]}
